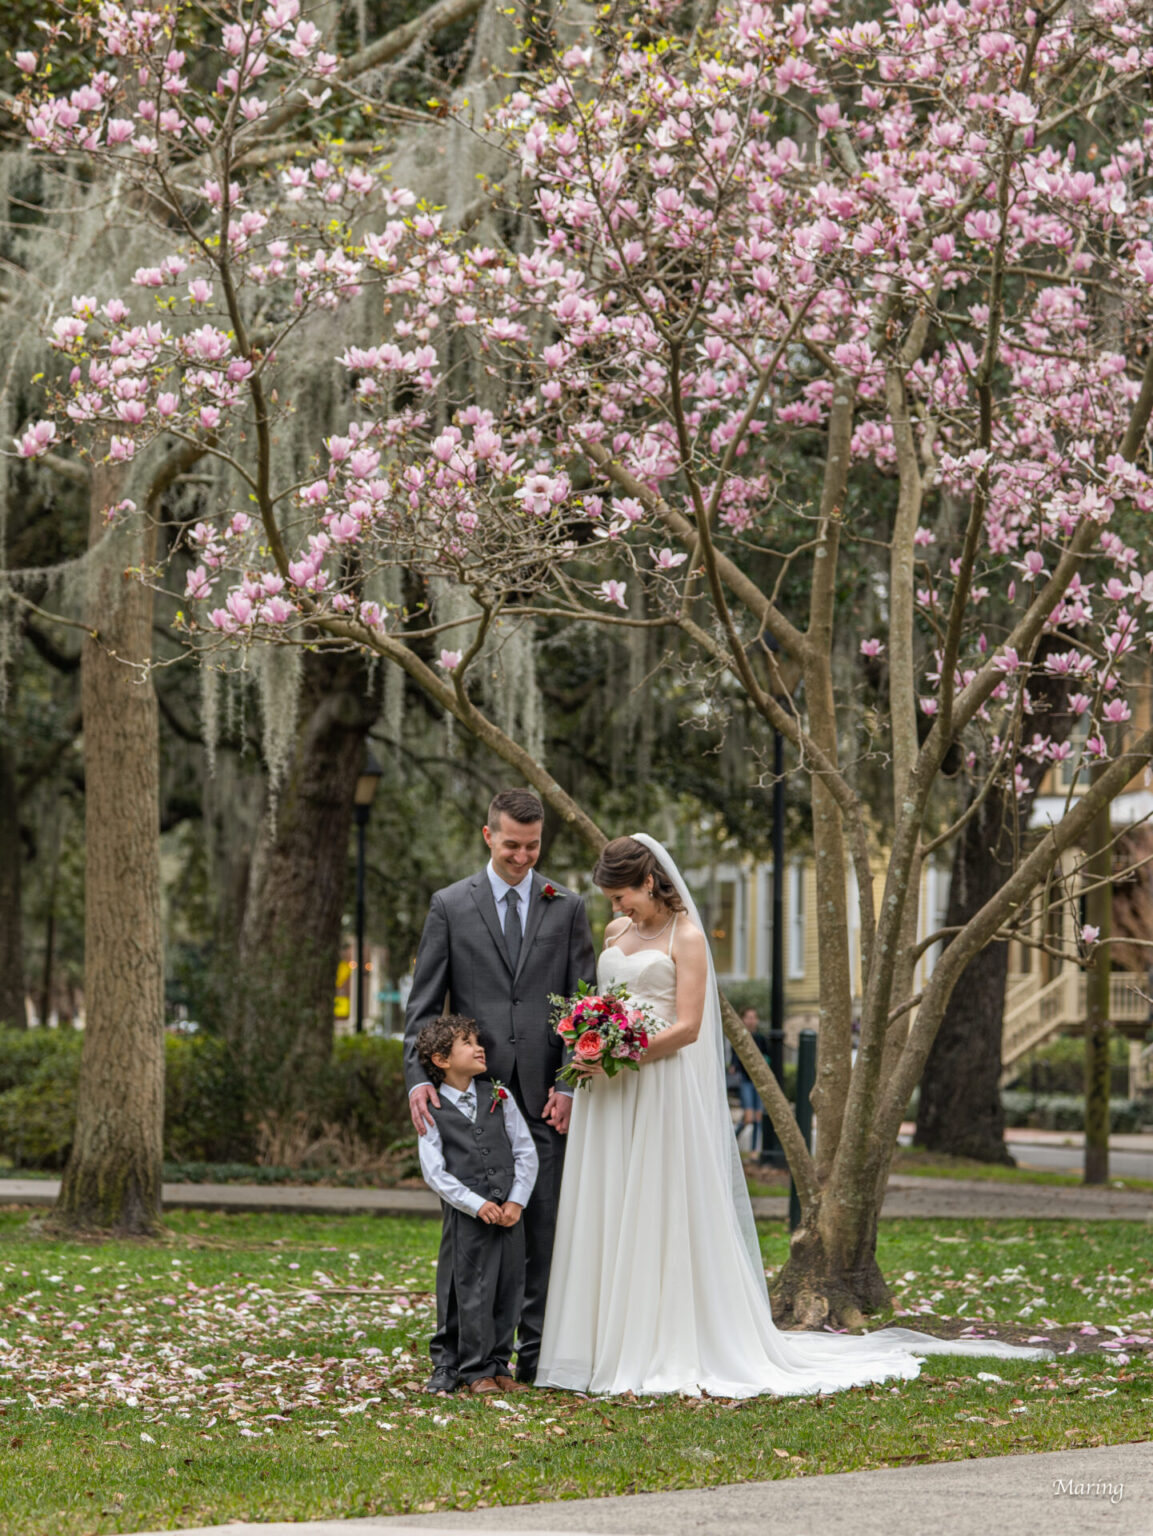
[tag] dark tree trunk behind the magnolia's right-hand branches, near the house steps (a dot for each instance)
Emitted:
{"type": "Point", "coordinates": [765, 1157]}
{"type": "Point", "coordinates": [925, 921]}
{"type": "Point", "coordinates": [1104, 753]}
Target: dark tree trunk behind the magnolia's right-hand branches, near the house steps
{"type": "Point", "coordinates": [960, 1111]}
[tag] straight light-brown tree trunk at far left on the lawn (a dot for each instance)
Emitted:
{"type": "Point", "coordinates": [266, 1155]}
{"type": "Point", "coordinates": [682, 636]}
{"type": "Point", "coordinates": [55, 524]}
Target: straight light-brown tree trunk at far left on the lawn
{"type": "Point", "coordinates": [114, 1171]}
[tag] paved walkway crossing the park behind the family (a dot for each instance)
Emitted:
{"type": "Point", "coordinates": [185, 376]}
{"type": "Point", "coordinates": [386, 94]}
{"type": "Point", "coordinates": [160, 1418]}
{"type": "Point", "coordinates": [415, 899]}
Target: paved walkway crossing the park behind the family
{"type": "Point", "coordinates": [907, 1197]}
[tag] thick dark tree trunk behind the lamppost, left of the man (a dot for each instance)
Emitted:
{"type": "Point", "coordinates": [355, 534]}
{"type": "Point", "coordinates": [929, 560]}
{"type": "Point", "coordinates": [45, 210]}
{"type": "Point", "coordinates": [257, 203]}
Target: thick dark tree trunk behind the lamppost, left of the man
{"type": "Point", "coordinates": [296, 904]}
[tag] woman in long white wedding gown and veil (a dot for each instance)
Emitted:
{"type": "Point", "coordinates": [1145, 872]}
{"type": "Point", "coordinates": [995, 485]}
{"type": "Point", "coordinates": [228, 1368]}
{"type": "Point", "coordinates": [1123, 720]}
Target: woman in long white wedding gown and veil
{"type": "Point", "coordinates": [658, 1282]}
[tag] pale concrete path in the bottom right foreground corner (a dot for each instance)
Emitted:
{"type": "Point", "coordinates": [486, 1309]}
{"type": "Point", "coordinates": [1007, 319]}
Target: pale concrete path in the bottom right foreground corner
{"type": "Point", "coordinates": [1062, 1494]}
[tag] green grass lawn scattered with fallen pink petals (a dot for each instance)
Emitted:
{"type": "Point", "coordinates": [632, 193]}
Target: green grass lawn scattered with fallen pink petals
{"type": "Point", "coordinates": [269, 1366]}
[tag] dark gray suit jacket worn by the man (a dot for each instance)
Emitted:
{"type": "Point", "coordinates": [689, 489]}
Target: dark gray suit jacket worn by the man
{"type": "Point", "coordinates": [463, 968]}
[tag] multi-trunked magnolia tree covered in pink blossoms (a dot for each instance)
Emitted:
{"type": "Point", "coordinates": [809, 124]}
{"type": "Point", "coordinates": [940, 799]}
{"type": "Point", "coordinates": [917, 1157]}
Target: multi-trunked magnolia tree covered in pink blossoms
{"type": "Point", "coordinates": [914, 247]}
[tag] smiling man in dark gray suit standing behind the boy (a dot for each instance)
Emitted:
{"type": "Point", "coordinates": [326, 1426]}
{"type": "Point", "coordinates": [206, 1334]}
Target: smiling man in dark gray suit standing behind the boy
{"type": "Point", "coordinates": [494, 948]}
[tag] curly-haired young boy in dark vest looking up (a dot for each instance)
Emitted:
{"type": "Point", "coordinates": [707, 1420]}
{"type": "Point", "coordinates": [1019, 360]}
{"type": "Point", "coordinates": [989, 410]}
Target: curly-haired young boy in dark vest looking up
{"type": "Point", "coordinates": [480, 1159]}
